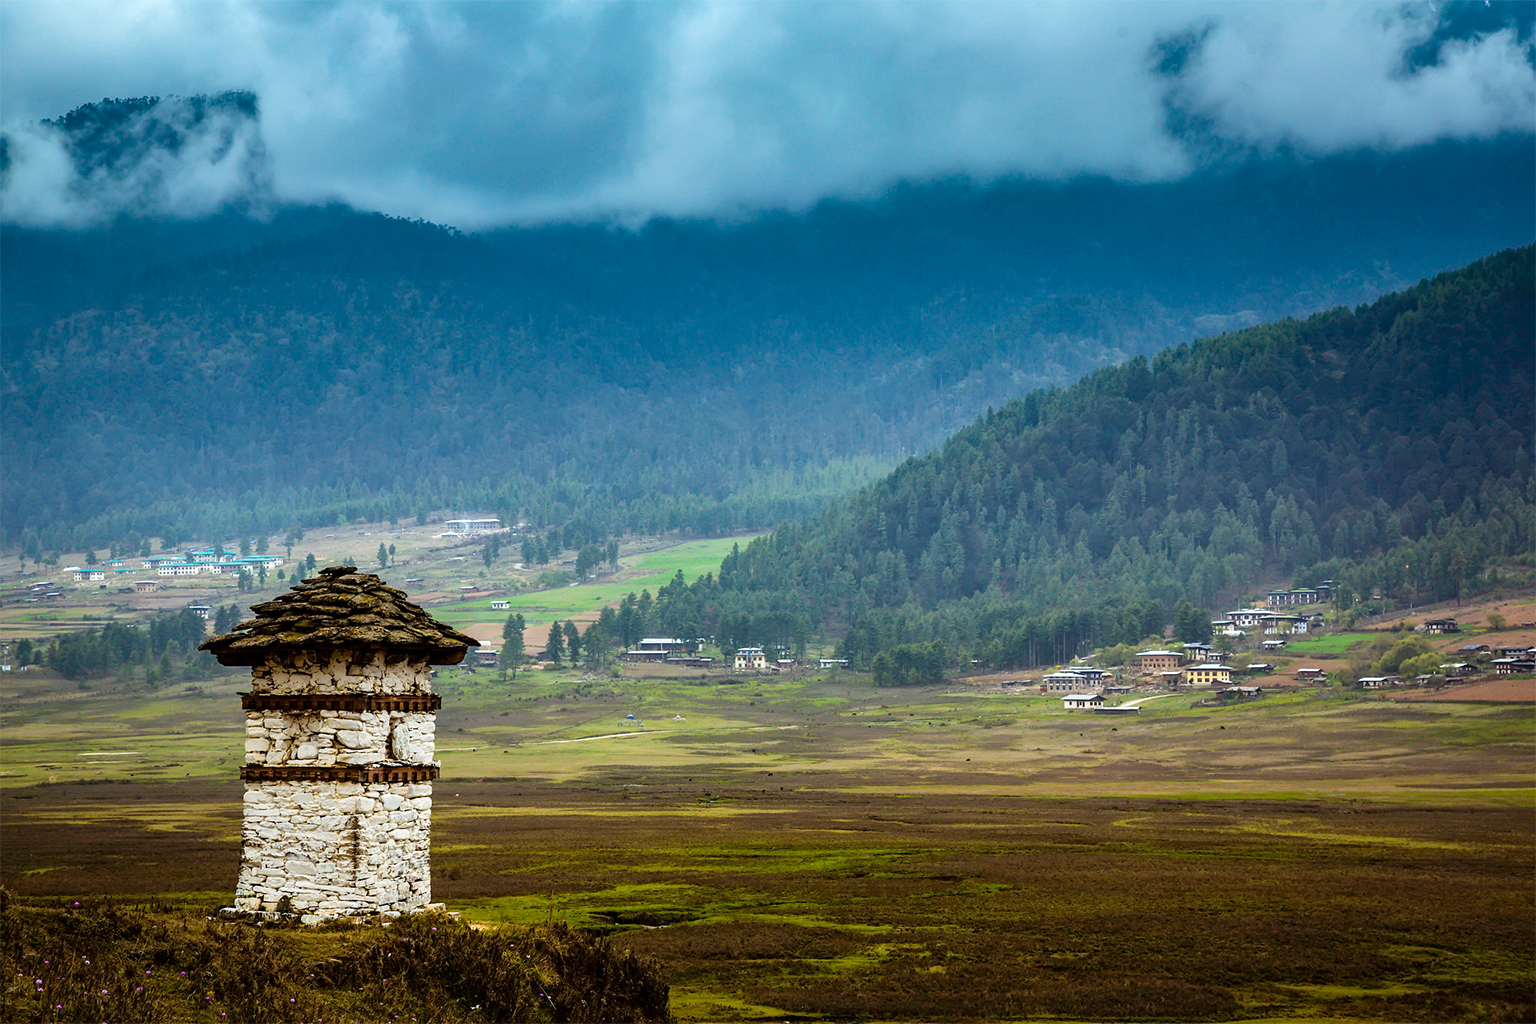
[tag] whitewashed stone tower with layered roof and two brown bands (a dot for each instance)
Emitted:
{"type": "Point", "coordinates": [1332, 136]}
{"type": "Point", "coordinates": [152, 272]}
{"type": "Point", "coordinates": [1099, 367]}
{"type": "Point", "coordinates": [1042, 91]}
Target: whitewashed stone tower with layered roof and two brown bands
{"type": "Point", "coordinates": [339, 748]}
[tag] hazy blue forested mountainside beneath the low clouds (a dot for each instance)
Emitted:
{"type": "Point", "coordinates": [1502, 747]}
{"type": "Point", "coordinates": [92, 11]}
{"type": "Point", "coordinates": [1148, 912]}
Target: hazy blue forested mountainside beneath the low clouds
{"type": "Point", "coordinates": [239, 374]}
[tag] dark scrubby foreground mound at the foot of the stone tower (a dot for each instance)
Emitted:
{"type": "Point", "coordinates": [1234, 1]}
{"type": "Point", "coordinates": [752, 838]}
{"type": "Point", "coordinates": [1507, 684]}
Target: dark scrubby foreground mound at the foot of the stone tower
{"type": "Point", "coordinates": [107, 962]}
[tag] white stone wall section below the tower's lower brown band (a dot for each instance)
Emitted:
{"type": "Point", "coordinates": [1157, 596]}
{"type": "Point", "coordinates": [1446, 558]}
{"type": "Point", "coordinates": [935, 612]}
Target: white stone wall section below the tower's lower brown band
{"type": "Point", "coordinates": [336, 850]}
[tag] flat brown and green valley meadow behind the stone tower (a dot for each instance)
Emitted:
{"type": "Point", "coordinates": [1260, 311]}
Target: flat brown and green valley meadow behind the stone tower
{"type": "Point", "coordinates": [812, 848]}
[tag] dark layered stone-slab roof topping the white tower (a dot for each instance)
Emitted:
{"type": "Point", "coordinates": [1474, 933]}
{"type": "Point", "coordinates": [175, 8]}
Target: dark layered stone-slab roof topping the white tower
{"type": "Point", "coordinates": [340, 609]}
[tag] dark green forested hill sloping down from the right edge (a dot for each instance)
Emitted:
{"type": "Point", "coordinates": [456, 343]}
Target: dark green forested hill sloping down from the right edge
{"type": "Point", "coordinates": [1389, 448]}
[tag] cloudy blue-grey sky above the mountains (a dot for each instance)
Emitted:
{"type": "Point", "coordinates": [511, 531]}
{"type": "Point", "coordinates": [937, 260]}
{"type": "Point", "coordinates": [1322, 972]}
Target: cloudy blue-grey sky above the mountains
{"type": "Point", "coordinates": [483, 114]}
